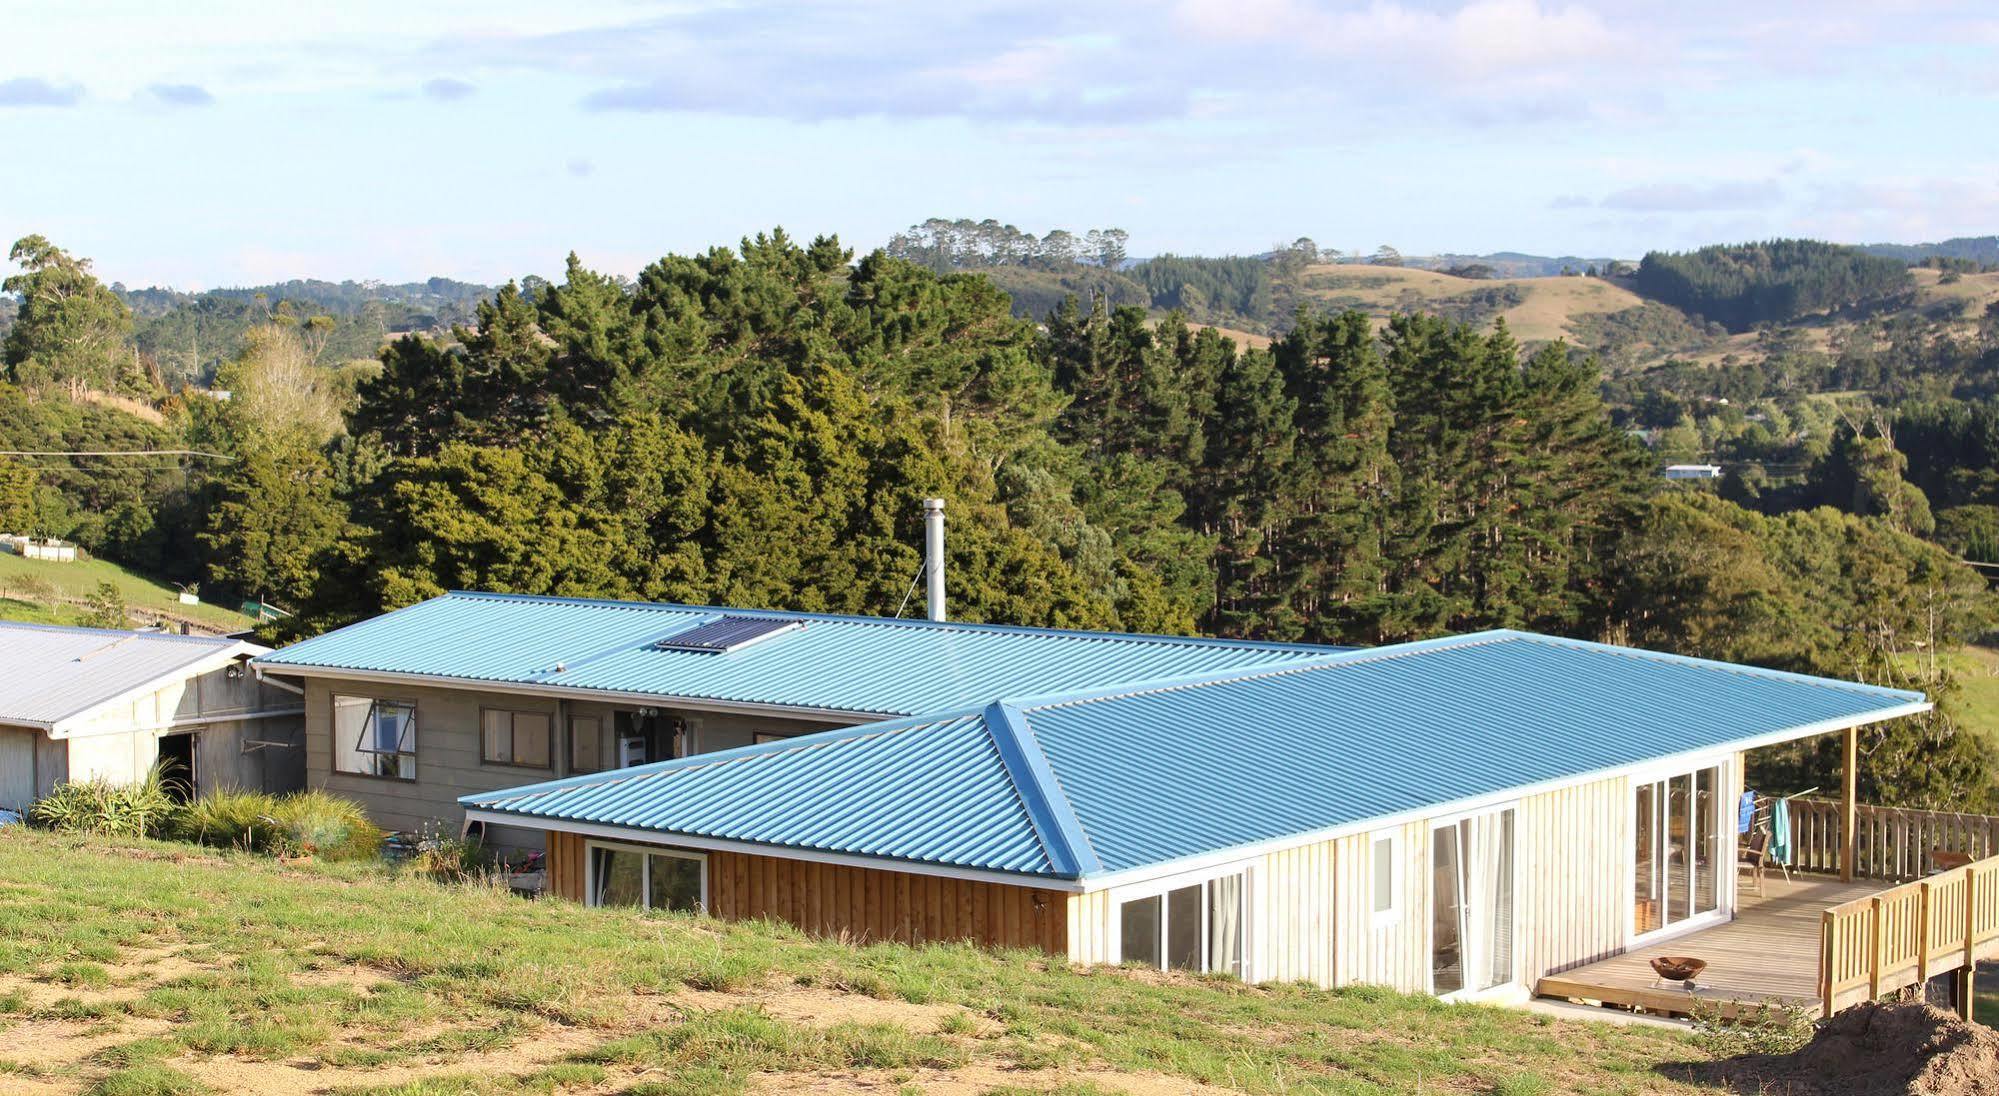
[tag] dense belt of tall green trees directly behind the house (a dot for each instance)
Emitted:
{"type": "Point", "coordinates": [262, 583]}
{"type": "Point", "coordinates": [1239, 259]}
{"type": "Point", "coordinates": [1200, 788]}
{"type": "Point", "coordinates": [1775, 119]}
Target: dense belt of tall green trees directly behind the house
{"type": "Point", "coordinates": [761, 425]}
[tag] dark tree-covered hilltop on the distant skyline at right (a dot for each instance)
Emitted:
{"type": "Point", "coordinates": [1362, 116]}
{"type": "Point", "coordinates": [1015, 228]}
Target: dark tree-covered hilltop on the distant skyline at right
{"type": "Point", "coordinates": [1770, 283]}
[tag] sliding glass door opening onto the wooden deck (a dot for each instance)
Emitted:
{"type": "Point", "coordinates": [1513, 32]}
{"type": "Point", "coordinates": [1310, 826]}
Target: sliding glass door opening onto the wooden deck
{"type": "Point", "coordinates": [1676, 849]}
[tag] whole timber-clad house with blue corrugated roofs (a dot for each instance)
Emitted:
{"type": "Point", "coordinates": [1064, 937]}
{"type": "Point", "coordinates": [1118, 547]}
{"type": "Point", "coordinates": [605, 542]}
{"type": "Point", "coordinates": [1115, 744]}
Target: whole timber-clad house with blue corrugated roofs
{"type": "Point", "coordinates": [1476, 817]}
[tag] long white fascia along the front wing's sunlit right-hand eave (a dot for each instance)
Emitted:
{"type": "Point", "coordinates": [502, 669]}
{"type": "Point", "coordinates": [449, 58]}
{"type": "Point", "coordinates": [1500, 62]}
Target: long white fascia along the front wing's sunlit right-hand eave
{"type": "Point", "coordinates": [1490, 799]}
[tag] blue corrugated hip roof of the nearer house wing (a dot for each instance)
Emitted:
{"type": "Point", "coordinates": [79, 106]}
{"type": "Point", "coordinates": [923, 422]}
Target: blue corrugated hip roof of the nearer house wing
{"type": "Point", "coordinates": [1134, 779]}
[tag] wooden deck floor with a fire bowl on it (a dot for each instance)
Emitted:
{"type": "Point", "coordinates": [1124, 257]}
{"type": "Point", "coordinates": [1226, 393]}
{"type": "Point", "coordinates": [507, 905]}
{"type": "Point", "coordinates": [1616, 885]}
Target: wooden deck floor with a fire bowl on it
{"type": "Point", "coordinates": [1768, 953]}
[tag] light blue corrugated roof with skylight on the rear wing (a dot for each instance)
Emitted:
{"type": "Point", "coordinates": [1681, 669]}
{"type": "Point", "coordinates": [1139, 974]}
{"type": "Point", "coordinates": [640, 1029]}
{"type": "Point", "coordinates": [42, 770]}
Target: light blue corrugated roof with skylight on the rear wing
{"type": "Point", "coordinates": [863, 665]}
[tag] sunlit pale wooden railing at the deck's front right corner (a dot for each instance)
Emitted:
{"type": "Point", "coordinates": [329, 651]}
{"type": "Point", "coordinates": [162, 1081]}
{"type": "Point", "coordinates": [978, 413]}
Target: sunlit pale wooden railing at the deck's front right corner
{"type": "Point", "coordinates": [1908, 935]}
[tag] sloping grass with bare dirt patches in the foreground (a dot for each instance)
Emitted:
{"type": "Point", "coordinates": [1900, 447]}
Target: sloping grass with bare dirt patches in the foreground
{"type": "Point", "coordinates": [169, 969]}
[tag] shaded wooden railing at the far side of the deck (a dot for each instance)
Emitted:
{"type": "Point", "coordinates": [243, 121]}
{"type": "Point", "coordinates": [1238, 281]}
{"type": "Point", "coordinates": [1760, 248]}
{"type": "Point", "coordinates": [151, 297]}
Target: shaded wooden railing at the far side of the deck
{"type": "Point", "coordinates": [1890, 843]}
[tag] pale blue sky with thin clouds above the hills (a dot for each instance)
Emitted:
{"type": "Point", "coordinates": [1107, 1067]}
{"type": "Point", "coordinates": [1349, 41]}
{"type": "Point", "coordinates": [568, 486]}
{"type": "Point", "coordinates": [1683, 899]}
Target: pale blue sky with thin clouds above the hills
{"type": "Point", "coordinates": [229, 143]}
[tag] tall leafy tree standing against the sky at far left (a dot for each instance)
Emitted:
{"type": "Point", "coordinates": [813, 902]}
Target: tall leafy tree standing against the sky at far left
{"type": "Point", "coordinates": [71, 333]}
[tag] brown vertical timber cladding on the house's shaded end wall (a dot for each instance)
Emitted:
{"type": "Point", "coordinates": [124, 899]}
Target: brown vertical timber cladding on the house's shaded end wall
{"type": "Point", "coordinates": [857, 903]}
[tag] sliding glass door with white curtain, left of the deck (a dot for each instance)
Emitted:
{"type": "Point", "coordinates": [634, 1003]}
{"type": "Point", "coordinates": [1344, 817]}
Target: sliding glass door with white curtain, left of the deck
{"type": "Point", "coordinates": [1472, 903]}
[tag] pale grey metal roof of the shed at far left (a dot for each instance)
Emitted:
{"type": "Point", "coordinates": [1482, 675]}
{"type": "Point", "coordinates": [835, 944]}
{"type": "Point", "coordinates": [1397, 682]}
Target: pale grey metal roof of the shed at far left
{"type": "Point", "coordinates": [49, 673]}
